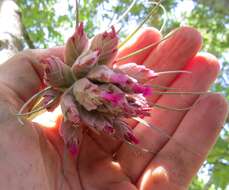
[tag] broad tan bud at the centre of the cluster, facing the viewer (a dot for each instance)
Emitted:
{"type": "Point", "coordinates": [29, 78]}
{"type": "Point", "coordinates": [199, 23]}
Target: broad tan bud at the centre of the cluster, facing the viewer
{"type": "Point", "coordinates": [87, 94]}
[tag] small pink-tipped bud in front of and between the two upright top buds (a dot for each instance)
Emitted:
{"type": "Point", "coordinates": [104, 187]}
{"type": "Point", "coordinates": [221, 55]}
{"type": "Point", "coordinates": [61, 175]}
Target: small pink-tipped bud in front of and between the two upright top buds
{"type": "Point", "coordinates": [84, 63]}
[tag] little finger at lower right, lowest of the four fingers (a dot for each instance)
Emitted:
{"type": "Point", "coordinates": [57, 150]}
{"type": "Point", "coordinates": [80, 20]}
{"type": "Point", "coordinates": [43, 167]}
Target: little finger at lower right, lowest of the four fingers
{"type": "Point", "coordinates": [198, 131]}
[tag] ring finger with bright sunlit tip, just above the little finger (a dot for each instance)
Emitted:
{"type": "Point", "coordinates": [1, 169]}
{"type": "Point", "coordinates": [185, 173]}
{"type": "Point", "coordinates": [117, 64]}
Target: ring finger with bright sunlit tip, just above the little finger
{"type": "Point", "coordinates": [204, 70]}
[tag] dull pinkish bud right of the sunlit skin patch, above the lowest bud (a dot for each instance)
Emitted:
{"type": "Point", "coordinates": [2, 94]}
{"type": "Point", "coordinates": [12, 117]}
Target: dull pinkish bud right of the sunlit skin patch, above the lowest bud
{"type": "Point", "coordinates": [69, 109]}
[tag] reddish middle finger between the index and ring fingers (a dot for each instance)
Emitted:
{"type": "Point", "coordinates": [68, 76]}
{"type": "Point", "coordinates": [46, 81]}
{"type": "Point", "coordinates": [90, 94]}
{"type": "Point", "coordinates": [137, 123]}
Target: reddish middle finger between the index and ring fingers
{"type": "Point", "coordinates": [173, 54]}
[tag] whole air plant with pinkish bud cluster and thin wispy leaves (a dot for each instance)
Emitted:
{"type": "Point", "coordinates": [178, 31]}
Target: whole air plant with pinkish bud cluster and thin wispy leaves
{"type": "Point", "coordinates": [94, 92]}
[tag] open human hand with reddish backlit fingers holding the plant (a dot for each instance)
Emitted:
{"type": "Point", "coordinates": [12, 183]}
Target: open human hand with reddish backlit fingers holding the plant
{"type": "Point", "coordinates": [31, 156]}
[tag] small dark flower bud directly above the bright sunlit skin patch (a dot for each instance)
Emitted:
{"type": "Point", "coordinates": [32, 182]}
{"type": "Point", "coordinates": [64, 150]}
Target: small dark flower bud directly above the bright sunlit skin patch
{"type": "Point", "coordinates": [53, 96]}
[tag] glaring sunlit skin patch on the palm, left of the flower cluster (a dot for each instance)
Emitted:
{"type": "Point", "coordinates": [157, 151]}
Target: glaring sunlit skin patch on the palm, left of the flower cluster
{"type": "Point", "coordinates": [48, 119]}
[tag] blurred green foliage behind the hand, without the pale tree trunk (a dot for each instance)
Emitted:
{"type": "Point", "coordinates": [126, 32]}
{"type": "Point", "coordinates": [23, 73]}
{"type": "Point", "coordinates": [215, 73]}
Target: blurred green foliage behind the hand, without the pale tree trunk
{"type": "Point", "coordinates": [42, 23]}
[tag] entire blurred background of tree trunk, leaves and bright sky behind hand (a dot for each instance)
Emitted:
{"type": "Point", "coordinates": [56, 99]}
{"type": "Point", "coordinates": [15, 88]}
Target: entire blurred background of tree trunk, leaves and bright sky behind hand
{"type": "Point", "coordinates": [46, 23]}
